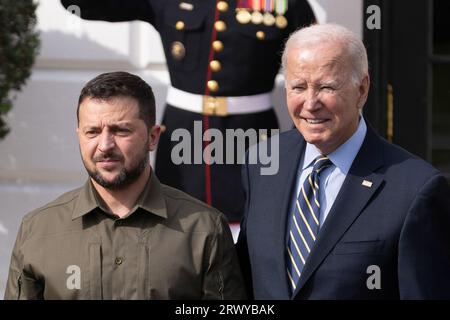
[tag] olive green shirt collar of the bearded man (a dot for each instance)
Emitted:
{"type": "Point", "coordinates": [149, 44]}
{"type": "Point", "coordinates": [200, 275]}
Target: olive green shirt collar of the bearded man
{"type": "Point", "coordinates": [151, 200]}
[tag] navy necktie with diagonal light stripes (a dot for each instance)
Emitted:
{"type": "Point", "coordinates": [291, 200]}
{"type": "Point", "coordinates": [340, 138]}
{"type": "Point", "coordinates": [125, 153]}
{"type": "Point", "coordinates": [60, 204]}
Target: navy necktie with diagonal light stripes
{"type": "Point", "coordinates": [304, 222]}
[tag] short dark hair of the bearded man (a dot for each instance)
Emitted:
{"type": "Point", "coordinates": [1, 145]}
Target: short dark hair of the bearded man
{"type": "Point", "coordinates": [121, 84]}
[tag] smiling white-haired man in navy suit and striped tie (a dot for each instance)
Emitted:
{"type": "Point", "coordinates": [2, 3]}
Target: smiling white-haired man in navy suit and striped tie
{"type": "Point", "coordinates": [348, 215]}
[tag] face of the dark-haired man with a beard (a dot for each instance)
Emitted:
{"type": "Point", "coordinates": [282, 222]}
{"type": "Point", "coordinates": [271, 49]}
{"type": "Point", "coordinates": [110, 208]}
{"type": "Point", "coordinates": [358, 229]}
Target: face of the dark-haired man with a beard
{"type": "Point", "coordinates": [114, 141]}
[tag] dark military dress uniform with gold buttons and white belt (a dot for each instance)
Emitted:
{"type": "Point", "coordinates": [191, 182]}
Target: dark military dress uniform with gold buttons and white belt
{"type": "Point", "coordinates": [223, 57]}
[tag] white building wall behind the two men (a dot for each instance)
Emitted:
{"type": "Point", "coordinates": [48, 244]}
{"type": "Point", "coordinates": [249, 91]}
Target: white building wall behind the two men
{"type": "Point", "coordinates": [39, 159]}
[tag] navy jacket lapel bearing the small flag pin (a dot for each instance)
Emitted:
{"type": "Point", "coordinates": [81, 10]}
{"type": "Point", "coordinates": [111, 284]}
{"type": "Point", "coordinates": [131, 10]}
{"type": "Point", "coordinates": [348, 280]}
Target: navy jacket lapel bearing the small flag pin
{"type": "Point", "coordinates": [349, 203]}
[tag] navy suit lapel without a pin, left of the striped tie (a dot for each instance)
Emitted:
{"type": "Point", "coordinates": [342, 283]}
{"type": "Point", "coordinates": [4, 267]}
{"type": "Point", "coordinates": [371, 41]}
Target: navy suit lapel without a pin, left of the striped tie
{"type": "Point", "coordinates": [290, 154]}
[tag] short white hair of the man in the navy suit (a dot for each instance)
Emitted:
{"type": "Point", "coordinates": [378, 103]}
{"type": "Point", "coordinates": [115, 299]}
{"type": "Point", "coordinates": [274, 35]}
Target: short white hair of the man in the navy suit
{"type": "Point", "coordinates": [323, 33]}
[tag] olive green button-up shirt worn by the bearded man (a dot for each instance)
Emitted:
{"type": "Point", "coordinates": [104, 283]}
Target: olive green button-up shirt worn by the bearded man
{"type": "Point", "coordinates": [170, 246]}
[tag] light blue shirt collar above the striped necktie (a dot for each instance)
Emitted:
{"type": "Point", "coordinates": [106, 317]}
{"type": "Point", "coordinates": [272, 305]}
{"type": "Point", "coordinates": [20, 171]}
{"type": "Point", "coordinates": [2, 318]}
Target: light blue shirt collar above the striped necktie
{"type": "Point", "coordinates": [343, 156]}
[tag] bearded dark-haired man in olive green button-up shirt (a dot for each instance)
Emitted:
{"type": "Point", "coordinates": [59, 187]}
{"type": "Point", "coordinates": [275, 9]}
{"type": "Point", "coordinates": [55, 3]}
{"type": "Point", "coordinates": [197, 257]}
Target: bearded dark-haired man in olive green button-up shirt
{"type": "Point", "coordinates": [123, 235]}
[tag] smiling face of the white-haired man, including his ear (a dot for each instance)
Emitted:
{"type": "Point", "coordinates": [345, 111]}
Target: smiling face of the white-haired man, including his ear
{"type": "Point", "coordinates": [322, 100]}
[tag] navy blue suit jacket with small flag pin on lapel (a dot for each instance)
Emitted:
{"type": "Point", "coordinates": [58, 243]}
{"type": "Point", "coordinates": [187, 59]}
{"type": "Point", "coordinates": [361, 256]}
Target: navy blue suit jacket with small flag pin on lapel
{"type": "Point", "coordinates": [400, 224]}
